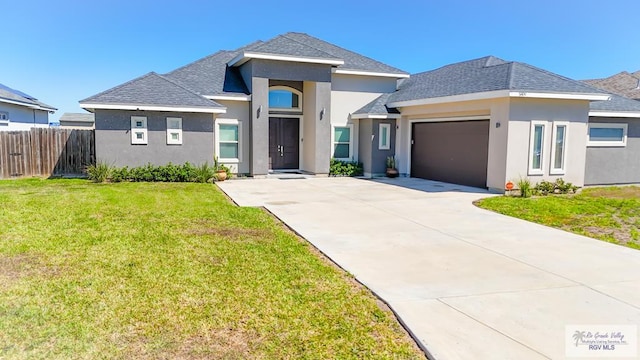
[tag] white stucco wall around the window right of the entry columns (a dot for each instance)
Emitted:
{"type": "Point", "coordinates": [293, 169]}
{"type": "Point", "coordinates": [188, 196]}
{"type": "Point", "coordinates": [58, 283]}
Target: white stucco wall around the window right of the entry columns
{"type": "Point", "coordinates": [351, 92]}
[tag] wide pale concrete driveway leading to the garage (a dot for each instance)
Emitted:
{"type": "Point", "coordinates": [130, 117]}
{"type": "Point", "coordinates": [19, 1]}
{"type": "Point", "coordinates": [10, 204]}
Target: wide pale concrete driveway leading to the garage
{"type": "Point", "coordinates": [468, 283]}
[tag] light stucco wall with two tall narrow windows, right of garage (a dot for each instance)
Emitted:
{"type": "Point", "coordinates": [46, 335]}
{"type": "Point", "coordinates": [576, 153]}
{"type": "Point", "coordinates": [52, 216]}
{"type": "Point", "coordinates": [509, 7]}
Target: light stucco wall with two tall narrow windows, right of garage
{"type": "Point", "coordinates": [522, 112]}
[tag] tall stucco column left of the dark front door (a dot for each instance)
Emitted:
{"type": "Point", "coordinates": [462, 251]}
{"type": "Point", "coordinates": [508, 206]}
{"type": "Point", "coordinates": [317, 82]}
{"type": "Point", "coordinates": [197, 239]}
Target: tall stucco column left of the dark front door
{"type": "Point", "coordinates": [259, 129]}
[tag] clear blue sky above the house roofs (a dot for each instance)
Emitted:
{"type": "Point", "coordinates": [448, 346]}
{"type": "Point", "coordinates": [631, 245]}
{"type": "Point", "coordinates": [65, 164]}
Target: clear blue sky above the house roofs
{"type": "Point", "coordinates": [64, 51]}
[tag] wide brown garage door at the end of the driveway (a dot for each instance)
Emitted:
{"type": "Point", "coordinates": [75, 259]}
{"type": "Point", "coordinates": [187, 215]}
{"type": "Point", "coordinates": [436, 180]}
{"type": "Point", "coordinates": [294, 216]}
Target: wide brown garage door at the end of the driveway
{"type": "Point", "coordinates": [454, 152]}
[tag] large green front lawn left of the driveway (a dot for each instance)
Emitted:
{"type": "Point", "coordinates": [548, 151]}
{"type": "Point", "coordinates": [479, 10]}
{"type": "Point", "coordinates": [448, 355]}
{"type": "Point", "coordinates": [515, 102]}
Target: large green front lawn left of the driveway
{"type": "Point", "coordinates": [162, 271]}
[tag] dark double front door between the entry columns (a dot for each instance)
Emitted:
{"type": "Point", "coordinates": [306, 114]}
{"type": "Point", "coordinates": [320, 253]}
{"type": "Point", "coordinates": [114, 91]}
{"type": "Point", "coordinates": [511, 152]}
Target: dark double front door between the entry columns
{"type": "Point", "coordinates": [284, 140]}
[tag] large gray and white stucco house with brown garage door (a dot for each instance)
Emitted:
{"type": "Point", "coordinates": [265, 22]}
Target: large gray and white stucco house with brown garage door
{"type": "Point", "coordinates": [293, 102]}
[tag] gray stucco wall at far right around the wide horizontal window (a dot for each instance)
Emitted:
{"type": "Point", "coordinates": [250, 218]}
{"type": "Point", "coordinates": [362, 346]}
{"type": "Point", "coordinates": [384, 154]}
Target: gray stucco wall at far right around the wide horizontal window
{"type": "Point", "coordinates": [615, 165]}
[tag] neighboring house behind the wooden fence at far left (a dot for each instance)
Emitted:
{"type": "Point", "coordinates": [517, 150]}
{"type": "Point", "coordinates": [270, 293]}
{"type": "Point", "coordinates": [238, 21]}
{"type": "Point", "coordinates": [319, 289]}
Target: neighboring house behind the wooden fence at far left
{"type": "Point", "coordinates": [19, 111]}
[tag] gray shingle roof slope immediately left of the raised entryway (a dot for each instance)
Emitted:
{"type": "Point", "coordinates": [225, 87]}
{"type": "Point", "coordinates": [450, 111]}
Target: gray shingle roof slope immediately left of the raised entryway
{"type": "Point", "coordinates": [211, 76]}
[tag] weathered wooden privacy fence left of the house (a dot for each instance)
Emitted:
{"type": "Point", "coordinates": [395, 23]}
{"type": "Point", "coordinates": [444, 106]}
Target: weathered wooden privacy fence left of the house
{"type": "Point", "coordinates": [46, 152]}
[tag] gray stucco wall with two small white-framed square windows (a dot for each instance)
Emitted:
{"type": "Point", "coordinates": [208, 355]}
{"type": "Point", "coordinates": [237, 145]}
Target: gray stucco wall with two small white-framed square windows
{"type": "Point", "coordinates": [113, 138]}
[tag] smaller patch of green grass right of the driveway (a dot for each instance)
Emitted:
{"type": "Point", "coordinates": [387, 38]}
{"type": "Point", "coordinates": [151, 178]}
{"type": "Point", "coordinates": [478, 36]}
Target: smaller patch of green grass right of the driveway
{"type": "Point", "coordinates": [611, 214]}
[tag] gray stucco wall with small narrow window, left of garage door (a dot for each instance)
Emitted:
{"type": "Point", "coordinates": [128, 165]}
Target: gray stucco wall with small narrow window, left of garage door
{"type": "Point", "coordinates": [373, 159]}
